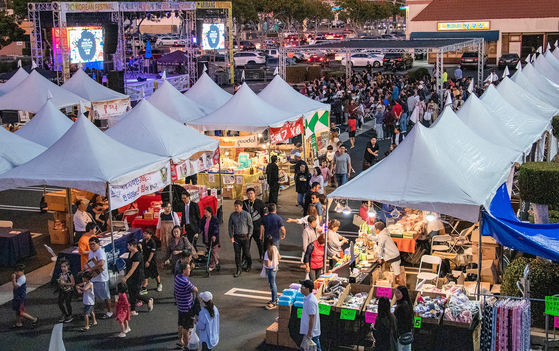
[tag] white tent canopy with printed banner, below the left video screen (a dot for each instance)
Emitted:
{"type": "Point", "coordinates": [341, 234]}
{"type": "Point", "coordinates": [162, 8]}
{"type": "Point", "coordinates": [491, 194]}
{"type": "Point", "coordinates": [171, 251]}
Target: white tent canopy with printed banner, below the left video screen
{"type": "Point", "coordinates": [105, 102]}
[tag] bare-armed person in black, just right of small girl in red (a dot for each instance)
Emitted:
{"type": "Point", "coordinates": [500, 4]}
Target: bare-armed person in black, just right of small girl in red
{"type": "Point", "coordinates": [135, 277]}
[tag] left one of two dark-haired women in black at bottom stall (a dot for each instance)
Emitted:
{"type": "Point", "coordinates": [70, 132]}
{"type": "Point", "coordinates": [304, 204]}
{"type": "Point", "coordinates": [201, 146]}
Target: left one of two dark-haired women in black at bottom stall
{"type": "Point", "coordinates": [384, 329]}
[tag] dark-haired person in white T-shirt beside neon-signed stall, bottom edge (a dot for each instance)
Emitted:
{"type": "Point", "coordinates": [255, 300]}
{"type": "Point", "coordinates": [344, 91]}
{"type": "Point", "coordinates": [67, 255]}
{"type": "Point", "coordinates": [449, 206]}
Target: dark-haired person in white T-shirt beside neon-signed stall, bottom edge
{"type": "Point", "coordinates": [310, 319]}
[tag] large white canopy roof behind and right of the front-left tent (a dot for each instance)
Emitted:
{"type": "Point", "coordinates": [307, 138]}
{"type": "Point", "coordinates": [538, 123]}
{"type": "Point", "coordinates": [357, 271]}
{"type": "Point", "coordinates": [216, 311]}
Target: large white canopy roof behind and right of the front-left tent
{"type": "Point", "coordinates": [145, 128]}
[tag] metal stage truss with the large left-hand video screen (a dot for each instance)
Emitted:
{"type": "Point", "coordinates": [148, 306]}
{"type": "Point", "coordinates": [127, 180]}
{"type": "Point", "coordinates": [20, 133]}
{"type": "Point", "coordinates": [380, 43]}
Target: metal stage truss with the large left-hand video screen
{"type": "Point", "coordinates": [83, 42]}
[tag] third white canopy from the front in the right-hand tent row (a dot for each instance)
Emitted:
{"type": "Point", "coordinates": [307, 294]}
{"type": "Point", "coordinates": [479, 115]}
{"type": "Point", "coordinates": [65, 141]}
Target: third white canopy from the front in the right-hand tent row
{"type": "Point", "coordinates": [476, 117]}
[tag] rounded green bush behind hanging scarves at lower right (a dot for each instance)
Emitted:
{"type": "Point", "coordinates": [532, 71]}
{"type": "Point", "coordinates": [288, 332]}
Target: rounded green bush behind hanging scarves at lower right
{"type": "Point", "coordinates": [544, 281]}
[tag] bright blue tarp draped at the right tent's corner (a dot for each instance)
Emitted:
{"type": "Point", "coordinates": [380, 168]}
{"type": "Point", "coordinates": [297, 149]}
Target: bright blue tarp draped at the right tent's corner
{"type": "Point", "coordinates": [501, 223]}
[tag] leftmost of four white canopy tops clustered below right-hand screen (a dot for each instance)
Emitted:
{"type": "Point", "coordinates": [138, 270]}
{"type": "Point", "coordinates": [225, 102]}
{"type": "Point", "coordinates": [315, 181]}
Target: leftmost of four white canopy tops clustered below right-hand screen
{"type": "Point", "coordinates": [174, 104]}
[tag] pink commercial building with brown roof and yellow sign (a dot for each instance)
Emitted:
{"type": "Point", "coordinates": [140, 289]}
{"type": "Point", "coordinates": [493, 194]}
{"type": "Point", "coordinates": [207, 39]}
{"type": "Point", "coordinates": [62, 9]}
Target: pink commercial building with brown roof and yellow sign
{"type": "Point", "coordinates": [507, 26]}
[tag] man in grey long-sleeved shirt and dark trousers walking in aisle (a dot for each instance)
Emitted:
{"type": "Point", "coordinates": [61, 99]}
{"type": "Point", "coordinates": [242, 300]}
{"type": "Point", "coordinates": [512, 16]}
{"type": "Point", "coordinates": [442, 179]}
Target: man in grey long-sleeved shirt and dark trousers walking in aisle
{"type": "Point", "coordinates": [240, 227]}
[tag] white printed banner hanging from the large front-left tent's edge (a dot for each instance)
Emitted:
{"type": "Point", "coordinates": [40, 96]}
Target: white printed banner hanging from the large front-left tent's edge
{"type": "Point", "coordinates": [122, 195]}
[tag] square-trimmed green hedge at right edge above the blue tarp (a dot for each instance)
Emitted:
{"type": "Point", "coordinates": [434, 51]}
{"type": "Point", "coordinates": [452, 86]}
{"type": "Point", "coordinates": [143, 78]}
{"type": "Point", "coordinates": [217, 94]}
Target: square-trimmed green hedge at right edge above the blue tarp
{"type": "Point", "coordinates": [539, 183]}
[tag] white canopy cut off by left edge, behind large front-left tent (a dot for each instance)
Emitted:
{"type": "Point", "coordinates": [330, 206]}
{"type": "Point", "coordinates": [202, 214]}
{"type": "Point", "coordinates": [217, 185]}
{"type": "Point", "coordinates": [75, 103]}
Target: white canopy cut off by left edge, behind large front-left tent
{"type": "Point", "coordinates": [15, 150]}
